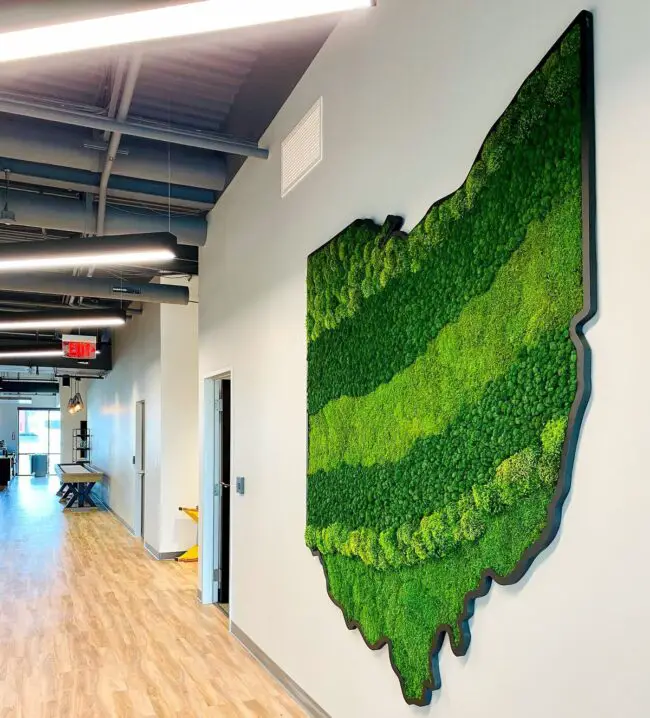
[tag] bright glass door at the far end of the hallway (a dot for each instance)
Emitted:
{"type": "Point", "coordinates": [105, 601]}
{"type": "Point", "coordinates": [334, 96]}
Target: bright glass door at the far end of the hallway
{"type": "Point", "coordinates": [39, 432]}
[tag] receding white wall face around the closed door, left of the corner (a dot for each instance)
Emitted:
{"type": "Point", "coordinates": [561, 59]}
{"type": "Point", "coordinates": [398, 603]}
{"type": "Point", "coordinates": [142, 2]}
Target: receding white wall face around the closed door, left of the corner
{"type": "Point", "coordinates": [111, 420]}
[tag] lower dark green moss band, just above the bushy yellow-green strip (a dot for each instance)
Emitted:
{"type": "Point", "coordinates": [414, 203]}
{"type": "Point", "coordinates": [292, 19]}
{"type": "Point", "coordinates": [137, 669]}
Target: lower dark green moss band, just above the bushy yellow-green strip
{"type": "Point", "coordinates": [510, 416]}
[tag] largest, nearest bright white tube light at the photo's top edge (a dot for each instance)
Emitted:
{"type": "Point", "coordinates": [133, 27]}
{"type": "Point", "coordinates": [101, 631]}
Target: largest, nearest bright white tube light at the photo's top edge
{"type": "Point", "coordinates": [166, 22]}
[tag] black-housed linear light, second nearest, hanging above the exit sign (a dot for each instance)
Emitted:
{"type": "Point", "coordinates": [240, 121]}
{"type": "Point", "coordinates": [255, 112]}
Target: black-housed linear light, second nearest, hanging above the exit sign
{"type": "Point", "coordinates": [123, 249]}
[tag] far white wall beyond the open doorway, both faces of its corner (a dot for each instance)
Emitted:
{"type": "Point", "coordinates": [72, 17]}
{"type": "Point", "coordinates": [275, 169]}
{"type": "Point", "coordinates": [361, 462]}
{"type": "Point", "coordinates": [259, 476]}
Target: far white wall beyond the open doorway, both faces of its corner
{"type": "Point", "coordinates": [155, 360]}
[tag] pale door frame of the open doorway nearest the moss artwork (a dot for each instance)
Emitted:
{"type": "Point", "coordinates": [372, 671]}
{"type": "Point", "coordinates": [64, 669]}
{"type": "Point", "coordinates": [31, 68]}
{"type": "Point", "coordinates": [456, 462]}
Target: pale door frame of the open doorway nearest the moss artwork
{"type": "Point", "coordinates": [210, 465]}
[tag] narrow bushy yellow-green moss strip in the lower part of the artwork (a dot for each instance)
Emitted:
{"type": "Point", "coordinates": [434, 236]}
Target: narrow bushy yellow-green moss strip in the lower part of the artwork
{"type": "Point", "coordinates": [464, 521]}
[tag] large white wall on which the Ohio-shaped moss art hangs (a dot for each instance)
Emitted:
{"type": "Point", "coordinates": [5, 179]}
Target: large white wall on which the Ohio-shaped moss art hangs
{"type": "Point", "coordinates": [410, 90]}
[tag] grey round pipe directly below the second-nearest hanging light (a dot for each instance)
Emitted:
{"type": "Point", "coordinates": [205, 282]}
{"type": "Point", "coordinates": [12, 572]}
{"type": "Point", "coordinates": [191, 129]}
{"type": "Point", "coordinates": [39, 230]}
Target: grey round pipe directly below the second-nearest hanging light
{"type": "Point", "coordinates": [100, 288]}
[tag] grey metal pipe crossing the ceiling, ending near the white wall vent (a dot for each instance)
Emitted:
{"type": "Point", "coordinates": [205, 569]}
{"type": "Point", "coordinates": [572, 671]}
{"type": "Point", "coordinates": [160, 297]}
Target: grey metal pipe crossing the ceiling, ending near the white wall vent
{"type": "Point", "coordinates": [188, 138]}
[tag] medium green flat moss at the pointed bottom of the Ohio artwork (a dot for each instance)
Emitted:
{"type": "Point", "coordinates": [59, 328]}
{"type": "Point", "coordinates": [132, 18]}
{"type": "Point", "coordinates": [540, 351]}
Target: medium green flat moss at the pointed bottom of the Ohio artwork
{"type": "Point", "coordinates": [408, 605]}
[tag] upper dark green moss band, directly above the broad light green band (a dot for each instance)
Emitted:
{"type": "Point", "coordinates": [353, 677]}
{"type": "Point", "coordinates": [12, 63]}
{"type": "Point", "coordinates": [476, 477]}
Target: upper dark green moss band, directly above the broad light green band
{"type": "Point", "coordinates": [392, 328]}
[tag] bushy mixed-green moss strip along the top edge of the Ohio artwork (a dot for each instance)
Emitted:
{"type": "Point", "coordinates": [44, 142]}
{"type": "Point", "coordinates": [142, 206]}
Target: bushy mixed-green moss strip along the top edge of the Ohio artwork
{"type": "Point", "coordinates": [357, 264]}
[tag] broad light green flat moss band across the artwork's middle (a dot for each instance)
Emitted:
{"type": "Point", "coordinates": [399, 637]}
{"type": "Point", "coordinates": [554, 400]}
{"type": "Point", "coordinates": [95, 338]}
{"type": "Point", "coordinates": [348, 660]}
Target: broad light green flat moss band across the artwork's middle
{"type": "Point", "coordinates": [539, 288]}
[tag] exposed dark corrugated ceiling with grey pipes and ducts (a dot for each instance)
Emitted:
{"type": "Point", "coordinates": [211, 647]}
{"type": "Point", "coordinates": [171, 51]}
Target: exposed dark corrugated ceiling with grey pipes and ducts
{"type": "Point", "coordinates": [222, 89]}
